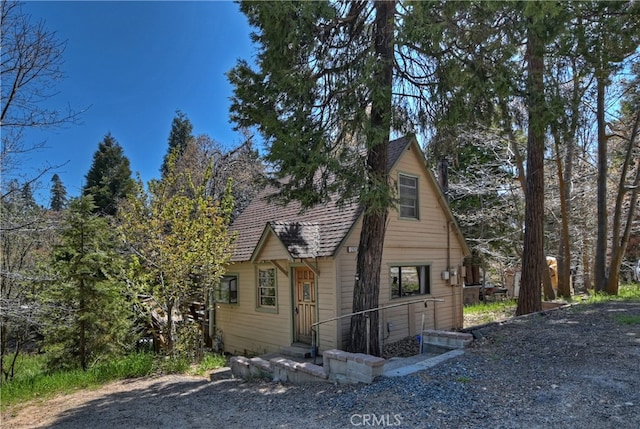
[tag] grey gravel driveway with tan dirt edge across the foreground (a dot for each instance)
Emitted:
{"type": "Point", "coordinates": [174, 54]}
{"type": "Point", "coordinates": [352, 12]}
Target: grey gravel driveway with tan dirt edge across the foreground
{"type": "Point", "coordinates": [575, 367]}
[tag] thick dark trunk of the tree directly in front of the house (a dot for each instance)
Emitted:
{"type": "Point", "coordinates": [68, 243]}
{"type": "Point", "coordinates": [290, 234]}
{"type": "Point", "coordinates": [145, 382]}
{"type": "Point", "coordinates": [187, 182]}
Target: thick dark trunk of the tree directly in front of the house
{"type": "Point", "coordinates": [367, 284]}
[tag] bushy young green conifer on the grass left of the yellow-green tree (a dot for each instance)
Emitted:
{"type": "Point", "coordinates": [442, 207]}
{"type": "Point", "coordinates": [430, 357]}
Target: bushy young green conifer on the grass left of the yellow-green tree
{"type": "Point", "coordinates": [90, 316]}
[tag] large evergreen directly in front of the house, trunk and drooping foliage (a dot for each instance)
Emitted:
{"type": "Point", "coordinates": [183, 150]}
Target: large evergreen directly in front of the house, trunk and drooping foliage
{"type": "Point", "coordinates": [323, 100]}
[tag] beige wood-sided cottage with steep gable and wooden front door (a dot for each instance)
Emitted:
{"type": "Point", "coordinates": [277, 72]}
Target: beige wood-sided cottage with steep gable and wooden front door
{"type": "Point", "coordinates": [292, 270]}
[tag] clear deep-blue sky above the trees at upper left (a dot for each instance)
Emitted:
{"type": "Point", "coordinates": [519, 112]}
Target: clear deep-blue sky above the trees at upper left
{"type": "Point", "coordinates": [133, 64]}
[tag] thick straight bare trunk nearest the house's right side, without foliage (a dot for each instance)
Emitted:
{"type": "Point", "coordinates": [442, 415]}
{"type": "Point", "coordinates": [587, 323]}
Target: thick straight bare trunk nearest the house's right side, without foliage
{"type": "Point", "coordinates": [533, 260]}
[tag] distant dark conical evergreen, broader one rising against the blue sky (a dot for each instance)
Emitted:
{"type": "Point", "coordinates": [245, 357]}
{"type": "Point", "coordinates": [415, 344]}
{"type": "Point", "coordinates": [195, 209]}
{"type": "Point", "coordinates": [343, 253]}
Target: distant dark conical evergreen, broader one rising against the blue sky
{"type": "Point", "coordinates": [109, 178]}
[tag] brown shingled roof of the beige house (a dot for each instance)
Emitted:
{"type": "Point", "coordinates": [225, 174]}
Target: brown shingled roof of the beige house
{"type": "Point", "coordinates": [316, 232]}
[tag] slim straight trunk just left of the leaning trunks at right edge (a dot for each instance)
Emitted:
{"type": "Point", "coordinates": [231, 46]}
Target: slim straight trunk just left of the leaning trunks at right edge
{"type": "Point", "coordinates": [600, 279]}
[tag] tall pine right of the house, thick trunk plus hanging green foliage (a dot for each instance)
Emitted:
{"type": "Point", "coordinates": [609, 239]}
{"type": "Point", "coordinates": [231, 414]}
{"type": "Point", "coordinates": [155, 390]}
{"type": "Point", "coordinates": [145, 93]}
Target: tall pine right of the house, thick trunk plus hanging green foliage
{"type": "Point", "coordinates": [482, 72]}
